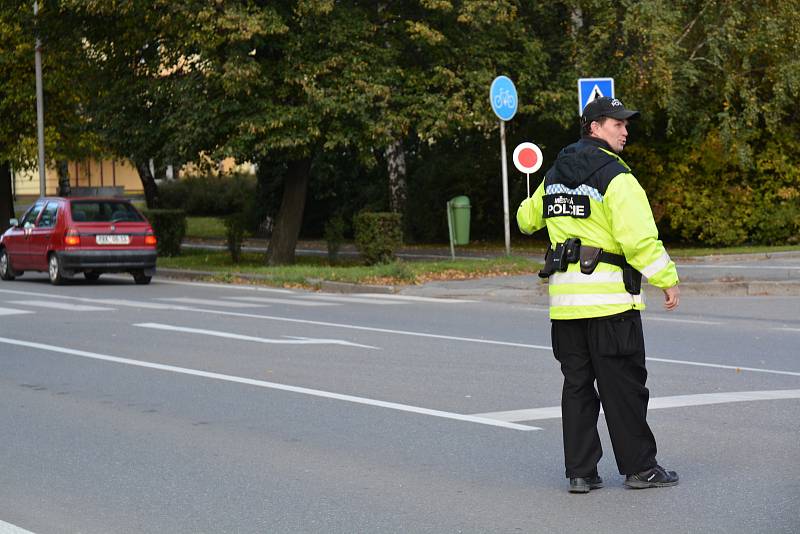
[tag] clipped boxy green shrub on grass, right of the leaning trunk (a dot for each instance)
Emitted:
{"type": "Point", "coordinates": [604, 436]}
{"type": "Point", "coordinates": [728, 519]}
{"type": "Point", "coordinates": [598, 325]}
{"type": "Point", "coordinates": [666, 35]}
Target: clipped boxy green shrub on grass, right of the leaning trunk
{"type": "Point", "coordinates": [377, 235]}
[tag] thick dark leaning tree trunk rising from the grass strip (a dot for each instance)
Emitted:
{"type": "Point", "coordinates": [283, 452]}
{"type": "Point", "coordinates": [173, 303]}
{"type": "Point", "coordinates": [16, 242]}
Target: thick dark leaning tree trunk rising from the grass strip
{"type": "Point", "coordinates": [290, 215]}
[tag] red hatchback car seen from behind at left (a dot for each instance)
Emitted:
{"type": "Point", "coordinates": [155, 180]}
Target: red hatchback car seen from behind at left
{"type": "Point", "coordinates": [66, 236]}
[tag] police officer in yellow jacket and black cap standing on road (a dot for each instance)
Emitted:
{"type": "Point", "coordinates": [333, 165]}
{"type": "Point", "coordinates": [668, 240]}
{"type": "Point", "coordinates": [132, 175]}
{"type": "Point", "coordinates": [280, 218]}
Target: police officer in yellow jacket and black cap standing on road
{"type": "Point", "coordinates": [603, 239]}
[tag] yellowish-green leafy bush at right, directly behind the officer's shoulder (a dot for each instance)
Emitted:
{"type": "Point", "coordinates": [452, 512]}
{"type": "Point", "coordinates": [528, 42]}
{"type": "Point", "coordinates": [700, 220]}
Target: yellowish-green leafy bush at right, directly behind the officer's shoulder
{"type": "Point", "coordinates": [703, 194]}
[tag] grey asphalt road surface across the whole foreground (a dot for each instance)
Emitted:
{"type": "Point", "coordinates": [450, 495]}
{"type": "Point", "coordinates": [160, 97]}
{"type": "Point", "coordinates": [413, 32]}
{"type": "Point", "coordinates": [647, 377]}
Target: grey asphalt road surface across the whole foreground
{"type": "Point", "coordinates": [180, 407]}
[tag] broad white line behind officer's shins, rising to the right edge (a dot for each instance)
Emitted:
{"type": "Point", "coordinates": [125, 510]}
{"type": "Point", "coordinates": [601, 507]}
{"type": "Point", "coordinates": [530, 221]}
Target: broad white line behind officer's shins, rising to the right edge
{"type": "Point", "coordinates": [659, 403]}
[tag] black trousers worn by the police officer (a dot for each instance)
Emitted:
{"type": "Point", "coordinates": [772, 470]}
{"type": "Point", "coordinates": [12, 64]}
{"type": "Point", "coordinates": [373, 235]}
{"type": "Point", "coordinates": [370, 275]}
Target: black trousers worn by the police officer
{"type": "Point", "coordinates": [609, 350]}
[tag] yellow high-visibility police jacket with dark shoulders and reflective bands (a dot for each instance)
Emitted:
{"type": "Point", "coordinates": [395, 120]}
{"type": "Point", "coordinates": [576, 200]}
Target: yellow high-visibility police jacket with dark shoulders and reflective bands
{"type": "Point", "coordinates": [590, 193]}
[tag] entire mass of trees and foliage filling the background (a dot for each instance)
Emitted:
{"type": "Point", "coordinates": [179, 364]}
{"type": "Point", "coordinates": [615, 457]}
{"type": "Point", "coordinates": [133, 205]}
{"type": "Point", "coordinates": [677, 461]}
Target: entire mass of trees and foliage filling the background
{"type": "Point", "coordinates": [337, 82]}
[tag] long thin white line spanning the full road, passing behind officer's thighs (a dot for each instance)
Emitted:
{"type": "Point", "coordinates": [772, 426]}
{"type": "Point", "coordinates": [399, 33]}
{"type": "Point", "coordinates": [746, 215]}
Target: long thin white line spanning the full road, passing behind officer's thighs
{"type": "Point", "coordinates": [426, 335]}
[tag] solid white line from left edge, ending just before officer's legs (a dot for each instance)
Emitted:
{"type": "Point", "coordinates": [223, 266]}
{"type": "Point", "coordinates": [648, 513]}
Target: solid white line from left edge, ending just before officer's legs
{"type": "Point", "coordinates": [268, 385]}
